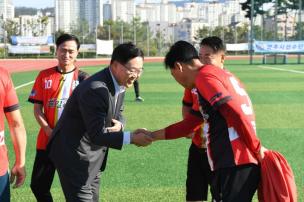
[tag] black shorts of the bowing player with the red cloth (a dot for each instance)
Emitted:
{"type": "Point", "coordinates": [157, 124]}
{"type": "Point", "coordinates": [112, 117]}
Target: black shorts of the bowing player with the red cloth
{"type": "Point", "coordinates": [235, 184]}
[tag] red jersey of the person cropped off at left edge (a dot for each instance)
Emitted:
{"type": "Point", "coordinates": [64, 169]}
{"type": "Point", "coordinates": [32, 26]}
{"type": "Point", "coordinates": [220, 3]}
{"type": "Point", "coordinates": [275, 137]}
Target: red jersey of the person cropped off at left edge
{"type": "Point", "coordinates": [8, 103]}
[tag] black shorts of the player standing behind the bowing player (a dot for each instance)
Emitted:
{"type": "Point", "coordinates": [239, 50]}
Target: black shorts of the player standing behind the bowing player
{"type": "Point", "coordinates": [198, 174]}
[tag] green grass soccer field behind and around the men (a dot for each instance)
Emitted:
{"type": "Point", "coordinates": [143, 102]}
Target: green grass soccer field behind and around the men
{"type": "Point", "coordinates": [158, 172]}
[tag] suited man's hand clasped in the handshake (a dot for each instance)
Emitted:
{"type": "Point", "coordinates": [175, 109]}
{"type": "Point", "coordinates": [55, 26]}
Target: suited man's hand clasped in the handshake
{"type": "Point", "coordinates": [140, 137]}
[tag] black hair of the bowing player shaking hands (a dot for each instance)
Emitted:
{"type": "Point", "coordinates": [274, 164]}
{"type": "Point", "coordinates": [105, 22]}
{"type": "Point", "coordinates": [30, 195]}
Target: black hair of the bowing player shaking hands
{"type": "Point", "coordinates": [181, 51]}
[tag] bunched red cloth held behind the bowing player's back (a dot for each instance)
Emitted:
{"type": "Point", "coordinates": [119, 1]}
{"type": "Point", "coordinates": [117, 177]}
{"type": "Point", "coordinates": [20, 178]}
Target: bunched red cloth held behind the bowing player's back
{"type": "Point", "coordinates": [277, 180]}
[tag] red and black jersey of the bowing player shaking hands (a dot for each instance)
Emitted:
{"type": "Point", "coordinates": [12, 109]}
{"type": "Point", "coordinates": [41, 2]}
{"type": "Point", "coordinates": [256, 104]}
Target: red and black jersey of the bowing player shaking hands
{"type": "Point", "coordinates": [225, 105]}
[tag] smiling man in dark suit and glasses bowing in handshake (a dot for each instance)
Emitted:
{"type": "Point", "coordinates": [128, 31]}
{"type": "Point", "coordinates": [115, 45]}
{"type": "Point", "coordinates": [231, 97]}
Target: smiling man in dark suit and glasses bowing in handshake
{"type": "Point", "coordinates": [92, 122]}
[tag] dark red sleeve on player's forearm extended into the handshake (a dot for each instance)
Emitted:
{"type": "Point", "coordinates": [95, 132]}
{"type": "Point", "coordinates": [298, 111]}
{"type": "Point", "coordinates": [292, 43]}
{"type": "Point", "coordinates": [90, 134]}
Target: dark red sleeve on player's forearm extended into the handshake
{"type": "Point", "coordinates": [183, 128]}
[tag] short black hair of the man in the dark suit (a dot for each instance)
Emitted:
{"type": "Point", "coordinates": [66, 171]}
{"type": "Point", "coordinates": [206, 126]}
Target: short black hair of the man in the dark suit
{"type": "Point", "coordinates": [125, 52]}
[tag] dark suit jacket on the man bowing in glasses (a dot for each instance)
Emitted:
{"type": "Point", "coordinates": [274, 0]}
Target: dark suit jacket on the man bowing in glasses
{"type": "Point", "coordinates": [79, 143]}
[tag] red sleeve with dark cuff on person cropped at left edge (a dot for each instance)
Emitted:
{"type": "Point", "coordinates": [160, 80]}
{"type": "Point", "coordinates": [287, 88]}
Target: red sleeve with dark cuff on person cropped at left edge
{"type": "Point", "coordinates": [11, 99]}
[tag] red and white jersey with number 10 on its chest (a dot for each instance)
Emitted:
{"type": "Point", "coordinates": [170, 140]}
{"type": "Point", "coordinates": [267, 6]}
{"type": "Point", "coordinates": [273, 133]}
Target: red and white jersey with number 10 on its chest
{"type": "Point", "coordinates": [52, 89]}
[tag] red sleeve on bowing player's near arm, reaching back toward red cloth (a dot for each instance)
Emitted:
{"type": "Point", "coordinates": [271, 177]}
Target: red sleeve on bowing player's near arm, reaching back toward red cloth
{"type": "Point", "coordinates": [223, 97]}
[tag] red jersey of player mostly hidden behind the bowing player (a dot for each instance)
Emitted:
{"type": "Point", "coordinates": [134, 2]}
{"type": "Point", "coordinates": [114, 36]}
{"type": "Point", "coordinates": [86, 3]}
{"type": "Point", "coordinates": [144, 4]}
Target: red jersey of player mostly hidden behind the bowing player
{"type": "Point", "coordinates": [191, 99]}
